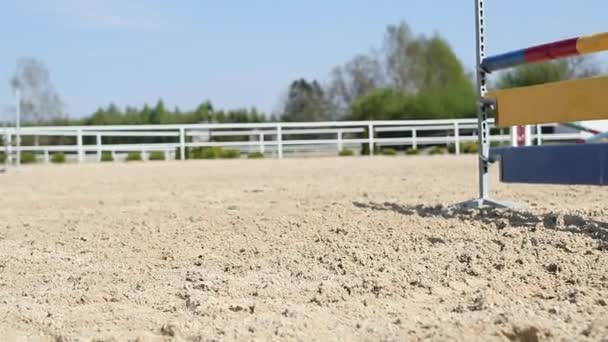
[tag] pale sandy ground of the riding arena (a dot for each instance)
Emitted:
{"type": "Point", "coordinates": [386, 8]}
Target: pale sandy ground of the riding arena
{"type": "Point", "coordinates": [298, 249]}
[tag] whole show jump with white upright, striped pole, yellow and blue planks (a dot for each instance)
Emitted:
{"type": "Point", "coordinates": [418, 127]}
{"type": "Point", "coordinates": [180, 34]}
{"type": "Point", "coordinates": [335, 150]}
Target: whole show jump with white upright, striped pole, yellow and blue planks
{"type": "Point", "coordinates": [558, 102]}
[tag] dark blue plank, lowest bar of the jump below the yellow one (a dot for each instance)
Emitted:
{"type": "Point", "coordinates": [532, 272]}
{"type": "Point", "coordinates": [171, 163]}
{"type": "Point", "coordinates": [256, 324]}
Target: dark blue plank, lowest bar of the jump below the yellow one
{"type": "Point", "coordinates": [581, 164]}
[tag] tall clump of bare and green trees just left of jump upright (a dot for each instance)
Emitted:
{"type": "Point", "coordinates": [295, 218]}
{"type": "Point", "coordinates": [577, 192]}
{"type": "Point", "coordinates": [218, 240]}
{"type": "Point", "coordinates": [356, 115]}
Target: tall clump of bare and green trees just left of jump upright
{"type": "Point", "coordinates": [411, 77]}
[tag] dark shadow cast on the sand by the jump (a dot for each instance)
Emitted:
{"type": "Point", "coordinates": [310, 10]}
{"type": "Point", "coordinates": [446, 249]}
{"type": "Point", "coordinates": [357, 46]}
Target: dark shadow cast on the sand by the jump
{"type": "Point", "coordinates": [501, 218]}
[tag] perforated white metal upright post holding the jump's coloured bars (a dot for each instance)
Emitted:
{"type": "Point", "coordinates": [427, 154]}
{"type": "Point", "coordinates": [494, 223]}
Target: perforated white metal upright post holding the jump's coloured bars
{"type": "Point", "coordinates": [482, 114]}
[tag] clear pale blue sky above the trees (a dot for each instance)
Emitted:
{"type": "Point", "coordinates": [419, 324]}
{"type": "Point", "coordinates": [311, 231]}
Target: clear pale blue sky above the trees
{"type": "Point", "coordinates": [243, 53]}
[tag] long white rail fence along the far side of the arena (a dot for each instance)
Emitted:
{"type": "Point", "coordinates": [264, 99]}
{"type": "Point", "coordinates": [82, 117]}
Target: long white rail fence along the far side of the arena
{"type": "Point", "coordinates": [276, 139]}
